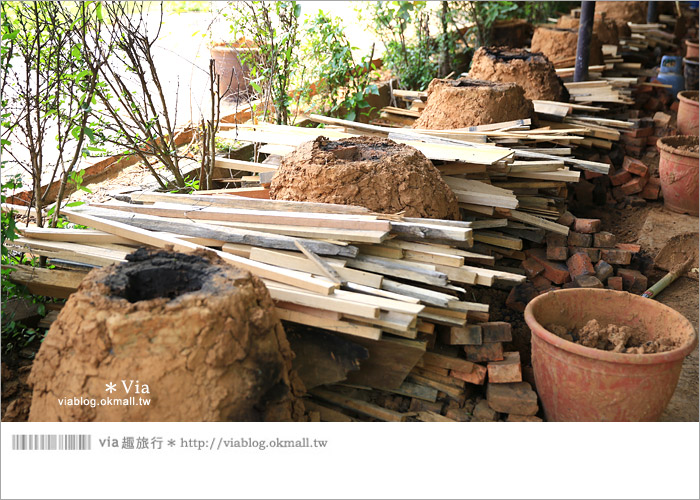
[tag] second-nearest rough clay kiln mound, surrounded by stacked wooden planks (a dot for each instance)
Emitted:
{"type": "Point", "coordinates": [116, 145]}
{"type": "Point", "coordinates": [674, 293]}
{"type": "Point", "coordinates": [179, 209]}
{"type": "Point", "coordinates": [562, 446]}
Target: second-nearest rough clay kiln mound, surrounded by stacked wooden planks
{"type": "Point", "coordinates": [375, 173]}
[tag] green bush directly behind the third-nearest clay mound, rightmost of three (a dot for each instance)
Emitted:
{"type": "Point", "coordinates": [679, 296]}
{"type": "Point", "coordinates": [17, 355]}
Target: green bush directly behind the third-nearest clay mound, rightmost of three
{"type": "Point", "coordinates": [409, 50]}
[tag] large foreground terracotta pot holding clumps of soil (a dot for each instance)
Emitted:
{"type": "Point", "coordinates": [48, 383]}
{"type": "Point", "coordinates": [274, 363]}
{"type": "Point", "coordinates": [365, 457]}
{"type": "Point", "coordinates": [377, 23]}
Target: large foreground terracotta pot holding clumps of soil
{"type": "Point", "coordinates": [582, 384]}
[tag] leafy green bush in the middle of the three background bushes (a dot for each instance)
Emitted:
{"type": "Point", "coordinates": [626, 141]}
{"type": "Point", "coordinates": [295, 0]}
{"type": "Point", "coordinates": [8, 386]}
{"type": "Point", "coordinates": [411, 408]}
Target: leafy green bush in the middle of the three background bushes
{"type": "Point", "coordinates": [341, 84]}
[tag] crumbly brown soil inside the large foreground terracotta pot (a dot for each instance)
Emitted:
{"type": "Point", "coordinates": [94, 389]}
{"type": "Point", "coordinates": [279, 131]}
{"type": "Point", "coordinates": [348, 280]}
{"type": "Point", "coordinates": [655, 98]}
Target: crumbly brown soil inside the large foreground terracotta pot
{"type": "Point", "coordinates": [622, 339]}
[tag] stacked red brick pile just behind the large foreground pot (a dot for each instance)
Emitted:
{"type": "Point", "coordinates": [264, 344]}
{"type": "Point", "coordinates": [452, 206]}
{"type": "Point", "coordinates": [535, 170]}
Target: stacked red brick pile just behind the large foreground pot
{"type": "Point", "coordinates": [586, 258]}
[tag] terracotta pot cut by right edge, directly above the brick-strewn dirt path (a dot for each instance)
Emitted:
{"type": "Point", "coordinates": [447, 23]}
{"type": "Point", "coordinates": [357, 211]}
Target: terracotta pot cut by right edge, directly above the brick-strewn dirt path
{"type": "Point", "coordinates": [678, 170]}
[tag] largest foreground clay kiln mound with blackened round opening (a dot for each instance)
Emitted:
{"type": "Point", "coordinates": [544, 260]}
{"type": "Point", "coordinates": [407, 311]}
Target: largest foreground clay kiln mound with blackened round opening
{"type": "Point", "coordinates": [193, 335]}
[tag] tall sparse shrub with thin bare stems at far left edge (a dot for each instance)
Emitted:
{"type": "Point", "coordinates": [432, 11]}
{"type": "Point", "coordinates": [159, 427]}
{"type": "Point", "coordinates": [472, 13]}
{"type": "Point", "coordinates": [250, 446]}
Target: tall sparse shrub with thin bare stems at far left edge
{"type": "Point", "coordinates": [47, 91]}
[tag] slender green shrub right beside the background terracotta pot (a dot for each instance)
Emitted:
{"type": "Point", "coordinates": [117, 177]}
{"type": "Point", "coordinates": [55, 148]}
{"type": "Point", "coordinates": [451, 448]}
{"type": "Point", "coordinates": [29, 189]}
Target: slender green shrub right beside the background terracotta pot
{"type": "Point", "coordinates": [273, 29]}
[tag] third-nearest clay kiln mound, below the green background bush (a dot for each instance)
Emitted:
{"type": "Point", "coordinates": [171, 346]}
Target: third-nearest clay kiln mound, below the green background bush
{"type": "Point", "coordinates": [466, 103]}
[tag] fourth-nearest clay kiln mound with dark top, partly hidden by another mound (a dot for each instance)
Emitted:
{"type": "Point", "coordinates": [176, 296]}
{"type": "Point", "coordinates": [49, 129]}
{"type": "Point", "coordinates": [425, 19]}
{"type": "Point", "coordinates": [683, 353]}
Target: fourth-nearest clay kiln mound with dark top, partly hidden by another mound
{"type": "Point", "coordinates": [533, 72]}
